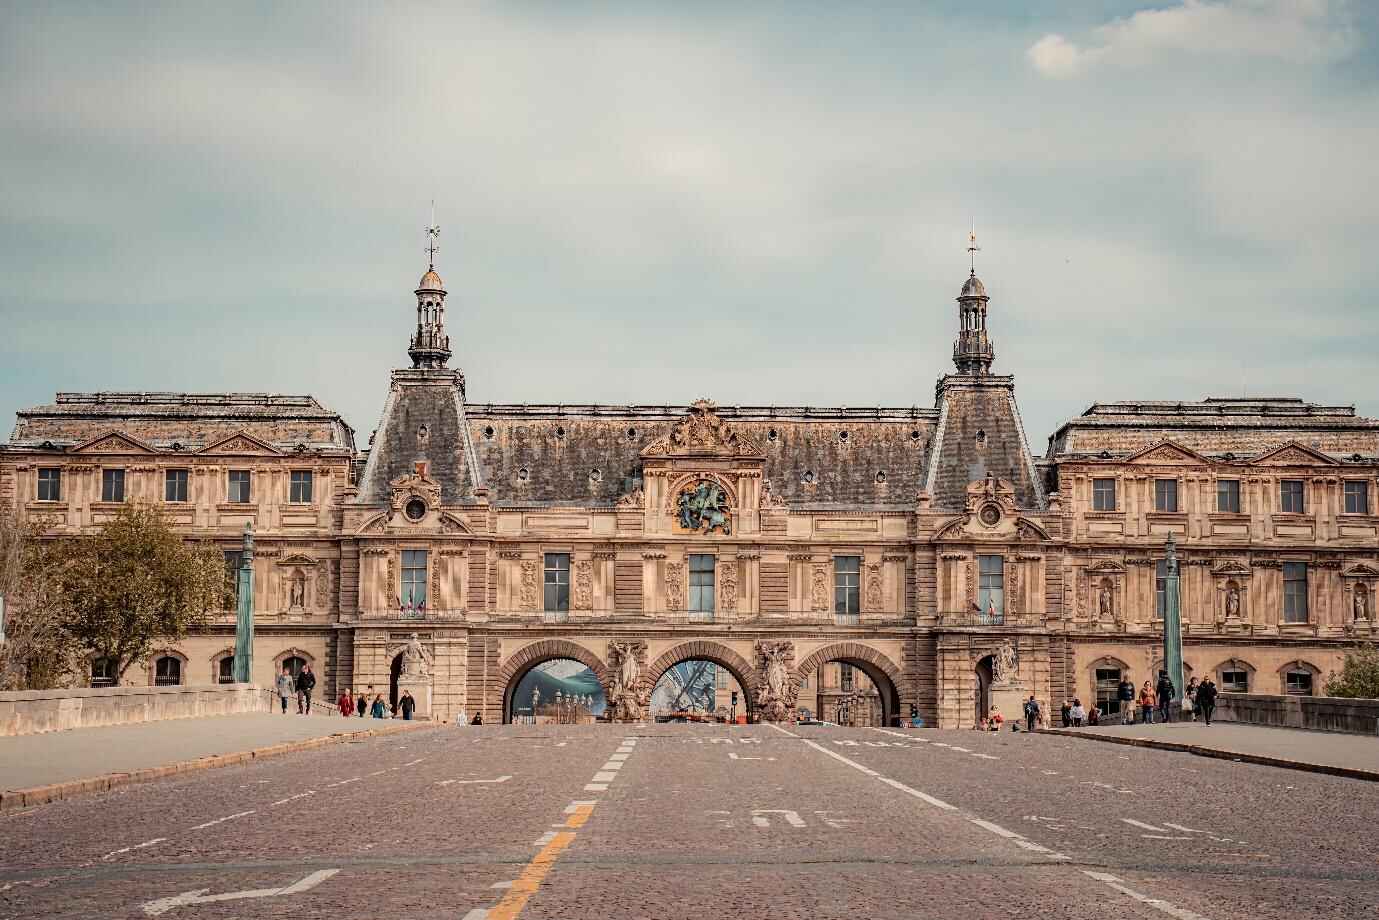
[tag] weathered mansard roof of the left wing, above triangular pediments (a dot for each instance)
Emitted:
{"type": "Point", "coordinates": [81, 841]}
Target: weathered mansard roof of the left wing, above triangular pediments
{"type": "Point", "coordinates": [190, 421]}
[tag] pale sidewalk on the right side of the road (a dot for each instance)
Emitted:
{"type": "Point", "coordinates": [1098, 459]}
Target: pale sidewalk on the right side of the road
{"type": "Point", "coordinates": [1356, 757]}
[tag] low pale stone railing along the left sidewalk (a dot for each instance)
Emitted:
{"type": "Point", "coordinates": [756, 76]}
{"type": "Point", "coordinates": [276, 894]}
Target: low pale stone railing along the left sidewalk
{"type": "Point", "coordinates": [32, 711]}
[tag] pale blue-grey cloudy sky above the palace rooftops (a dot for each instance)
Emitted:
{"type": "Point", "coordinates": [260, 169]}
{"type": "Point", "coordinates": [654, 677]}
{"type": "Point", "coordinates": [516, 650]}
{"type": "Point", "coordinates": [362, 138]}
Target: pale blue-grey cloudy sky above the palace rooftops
{"type": "Point", "coordinates": [758, 203]}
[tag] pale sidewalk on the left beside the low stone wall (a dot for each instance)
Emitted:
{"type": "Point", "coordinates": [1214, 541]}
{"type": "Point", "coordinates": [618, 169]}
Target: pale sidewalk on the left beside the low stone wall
{"type": "Point", "coordinates": [59, 765]}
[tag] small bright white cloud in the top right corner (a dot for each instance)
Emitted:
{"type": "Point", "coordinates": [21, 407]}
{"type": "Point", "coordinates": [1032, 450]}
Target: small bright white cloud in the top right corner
{"type": "Point", "coordinates": [1289, 31]}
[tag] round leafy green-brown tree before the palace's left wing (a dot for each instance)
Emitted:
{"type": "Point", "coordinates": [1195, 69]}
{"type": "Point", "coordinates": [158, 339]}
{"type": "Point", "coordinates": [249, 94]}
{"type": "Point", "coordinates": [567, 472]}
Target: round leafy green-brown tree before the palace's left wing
{"type": "Point", "coordinates": [137, 583]}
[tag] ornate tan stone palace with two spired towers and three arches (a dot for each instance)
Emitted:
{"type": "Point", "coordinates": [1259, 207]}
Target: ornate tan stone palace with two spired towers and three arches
{"type": "Point", "coordinates": [927, 550]}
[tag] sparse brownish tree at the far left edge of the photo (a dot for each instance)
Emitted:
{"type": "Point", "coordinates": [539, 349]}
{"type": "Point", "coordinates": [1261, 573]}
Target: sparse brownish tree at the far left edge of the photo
{"type": "Point", "coordinates": [38, 652]}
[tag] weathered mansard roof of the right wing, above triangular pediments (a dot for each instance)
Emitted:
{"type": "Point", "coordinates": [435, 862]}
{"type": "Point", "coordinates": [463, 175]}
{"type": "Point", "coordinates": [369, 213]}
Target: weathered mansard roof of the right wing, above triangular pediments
{"type": "Point", "coordinates": [1222, 428]}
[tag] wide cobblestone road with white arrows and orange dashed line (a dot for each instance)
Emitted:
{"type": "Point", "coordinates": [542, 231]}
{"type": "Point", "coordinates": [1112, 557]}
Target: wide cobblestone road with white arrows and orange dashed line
{"type": "Point", "coordinates": [687, 821]}
